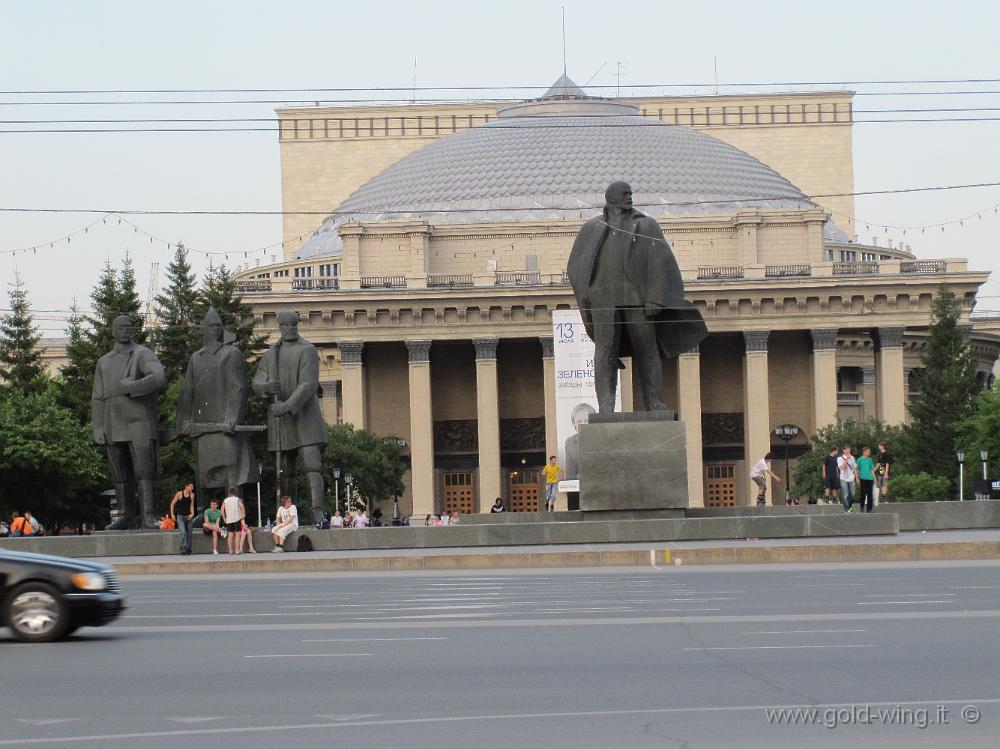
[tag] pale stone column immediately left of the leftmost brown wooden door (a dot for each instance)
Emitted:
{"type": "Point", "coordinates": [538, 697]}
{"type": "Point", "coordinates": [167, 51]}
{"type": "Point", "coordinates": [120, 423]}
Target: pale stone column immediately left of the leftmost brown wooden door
{"type": "Point", "coordinates": [421, 427]}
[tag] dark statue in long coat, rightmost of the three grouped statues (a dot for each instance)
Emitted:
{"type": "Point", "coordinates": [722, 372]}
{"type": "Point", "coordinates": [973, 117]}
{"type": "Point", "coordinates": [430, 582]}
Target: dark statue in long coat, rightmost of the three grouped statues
{"type": "Point", "coordinates": [288, 372]}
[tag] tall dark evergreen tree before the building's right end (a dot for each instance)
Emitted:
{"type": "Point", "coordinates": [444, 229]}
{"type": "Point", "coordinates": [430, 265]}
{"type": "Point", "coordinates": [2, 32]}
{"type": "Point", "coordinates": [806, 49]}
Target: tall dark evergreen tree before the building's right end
{"type": "Point", "coordinates": [946, 390]}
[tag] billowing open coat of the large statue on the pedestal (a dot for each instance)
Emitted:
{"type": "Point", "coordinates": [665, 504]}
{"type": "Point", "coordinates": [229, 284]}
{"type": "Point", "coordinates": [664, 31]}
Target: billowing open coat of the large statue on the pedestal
{"type": "Point", "coordinates": [652, 270]}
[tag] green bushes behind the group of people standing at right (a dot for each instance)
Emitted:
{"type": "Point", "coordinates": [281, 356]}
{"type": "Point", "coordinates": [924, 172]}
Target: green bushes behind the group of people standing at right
{"type": "Point", "coordinates": [807, 478]}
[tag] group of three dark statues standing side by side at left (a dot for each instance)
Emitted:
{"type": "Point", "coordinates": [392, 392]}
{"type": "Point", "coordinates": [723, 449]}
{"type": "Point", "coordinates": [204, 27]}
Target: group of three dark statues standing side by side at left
{"type": "Point", "coordinates": [212, 410]}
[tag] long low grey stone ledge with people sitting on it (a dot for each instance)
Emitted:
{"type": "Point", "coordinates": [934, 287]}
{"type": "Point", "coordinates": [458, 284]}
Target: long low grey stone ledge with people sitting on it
{"type": "Point", "coordinates": [485, 535]}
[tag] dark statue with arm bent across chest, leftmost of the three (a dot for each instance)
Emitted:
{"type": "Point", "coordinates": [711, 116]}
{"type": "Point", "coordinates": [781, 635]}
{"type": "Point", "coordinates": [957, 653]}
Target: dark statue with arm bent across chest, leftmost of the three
{"type": "Point", "coordinates": [123, 407]}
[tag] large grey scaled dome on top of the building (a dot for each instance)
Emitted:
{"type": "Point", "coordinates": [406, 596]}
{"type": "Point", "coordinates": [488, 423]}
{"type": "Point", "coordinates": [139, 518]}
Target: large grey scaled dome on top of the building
{"type": "Point", "coordinates": [527, 166]}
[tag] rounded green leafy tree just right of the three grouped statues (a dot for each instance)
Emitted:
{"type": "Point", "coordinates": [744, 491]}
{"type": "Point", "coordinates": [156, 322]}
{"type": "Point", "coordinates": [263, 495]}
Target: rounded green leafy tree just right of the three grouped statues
{"type": "Point", "coordinates": [373, 461]}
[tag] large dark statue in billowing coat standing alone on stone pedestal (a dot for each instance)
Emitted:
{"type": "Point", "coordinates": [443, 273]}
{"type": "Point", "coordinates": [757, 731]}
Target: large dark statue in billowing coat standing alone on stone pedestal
{"type": "Point", "coordinates": [631, 297]}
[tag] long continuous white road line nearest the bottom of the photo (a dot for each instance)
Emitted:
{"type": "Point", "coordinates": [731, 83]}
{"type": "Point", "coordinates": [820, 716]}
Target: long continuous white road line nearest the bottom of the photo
{"type": "Point", "coordinates": [338, 723]}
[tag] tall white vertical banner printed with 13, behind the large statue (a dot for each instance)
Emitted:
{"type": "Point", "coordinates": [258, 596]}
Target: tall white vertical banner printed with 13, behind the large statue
{"type": "Point", "coordinates": [576, 397]}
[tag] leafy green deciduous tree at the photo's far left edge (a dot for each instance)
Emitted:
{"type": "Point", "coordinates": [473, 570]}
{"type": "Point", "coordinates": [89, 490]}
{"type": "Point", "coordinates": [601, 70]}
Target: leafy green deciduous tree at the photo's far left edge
{"type": "Point", "coordinates": [47, 461]}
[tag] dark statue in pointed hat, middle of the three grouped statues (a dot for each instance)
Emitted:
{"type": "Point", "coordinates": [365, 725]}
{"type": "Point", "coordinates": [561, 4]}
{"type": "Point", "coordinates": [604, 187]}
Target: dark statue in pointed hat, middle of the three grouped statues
{"type": "Point", "coordinates": [211, 405]}
